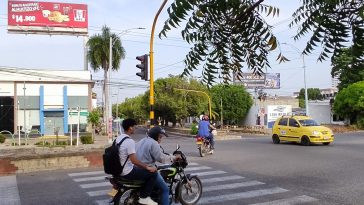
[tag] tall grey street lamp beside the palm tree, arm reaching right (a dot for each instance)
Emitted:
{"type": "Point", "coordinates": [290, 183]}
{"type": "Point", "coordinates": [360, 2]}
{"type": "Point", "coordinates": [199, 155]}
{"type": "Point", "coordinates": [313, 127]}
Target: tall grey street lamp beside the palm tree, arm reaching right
{"type": "Point", "coordinates": [107, 90]}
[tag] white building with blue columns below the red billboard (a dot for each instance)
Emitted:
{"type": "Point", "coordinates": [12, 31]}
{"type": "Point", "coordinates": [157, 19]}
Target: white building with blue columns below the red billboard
{"type": "Point", "coordinates": [43, 100]}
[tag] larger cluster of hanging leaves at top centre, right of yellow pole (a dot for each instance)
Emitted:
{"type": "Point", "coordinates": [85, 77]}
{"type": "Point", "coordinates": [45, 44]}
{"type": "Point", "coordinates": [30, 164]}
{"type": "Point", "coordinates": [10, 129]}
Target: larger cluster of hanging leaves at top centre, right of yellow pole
{"type": "Point", "coordinates": [225, 36]}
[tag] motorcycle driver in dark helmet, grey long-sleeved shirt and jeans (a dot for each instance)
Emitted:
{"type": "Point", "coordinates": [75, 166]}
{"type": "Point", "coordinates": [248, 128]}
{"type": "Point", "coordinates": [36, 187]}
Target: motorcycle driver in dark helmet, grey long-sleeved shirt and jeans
{"type": "Point", "coordinates": [149, 151]}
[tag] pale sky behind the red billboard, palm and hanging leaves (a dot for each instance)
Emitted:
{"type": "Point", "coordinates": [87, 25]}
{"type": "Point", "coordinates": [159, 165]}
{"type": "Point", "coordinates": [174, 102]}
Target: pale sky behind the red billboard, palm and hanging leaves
{"type": "Point", "coordinates": [66, 52]}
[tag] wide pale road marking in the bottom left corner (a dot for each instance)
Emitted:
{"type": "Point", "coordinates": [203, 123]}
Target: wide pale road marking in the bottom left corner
{"type": "Point", "coordinates": [9, 193]}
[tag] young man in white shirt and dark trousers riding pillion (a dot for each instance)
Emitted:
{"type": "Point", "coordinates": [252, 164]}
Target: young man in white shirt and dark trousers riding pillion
{"type": "Point", "coordinates": [134, 169]}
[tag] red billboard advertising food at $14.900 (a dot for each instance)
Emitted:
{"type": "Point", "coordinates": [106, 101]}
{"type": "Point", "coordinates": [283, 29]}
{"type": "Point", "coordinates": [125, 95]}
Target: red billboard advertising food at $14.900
{"type": "Point", "coordinates": [47, 17]}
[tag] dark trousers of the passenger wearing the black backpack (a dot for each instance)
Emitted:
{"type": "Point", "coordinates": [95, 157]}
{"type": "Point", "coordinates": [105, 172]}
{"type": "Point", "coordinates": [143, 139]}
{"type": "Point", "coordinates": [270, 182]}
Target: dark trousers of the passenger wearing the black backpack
{"type": "Point", "coordinates": [144, 175]}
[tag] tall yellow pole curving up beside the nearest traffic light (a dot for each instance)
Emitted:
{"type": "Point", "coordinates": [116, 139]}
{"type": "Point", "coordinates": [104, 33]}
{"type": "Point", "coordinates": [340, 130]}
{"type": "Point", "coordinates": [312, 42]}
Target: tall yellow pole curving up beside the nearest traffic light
{"type": "Point", "coordinates": [151, 54]}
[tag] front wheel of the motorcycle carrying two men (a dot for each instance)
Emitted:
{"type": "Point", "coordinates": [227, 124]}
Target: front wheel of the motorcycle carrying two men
{"type": "Point", "coordinates": [190, 195]}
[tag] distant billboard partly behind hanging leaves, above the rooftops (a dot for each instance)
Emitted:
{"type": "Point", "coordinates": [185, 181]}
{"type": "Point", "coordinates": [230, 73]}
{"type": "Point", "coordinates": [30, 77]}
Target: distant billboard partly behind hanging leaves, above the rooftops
{"type": "Point", "coordinates": [265, 80]}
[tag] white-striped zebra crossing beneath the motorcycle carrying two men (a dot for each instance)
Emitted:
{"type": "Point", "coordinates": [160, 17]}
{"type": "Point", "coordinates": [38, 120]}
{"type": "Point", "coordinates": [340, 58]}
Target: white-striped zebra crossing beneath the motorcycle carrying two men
{"type": "Point", "coordinates": [218, 187]}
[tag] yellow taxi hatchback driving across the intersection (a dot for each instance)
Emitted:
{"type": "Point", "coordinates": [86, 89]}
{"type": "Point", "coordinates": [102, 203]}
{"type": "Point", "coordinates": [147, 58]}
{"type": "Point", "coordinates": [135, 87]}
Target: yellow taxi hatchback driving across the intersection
{"type": "Point", "coordinates": [301, 129]}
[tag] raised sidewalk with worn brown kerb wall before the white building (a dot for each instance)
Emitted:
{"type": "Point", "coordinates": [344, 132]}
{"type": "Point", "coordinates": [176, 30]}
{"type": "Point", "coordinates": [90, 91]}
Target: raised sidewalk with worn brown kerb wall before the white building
{"type": "Point", "coordinates": [30, 158]}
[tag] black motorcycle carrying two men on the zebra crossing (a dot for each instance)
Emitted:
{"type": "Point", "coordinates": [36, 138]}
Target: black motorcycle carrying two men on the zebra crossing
{"type": "Point", "coordinates": [183, 188]}
